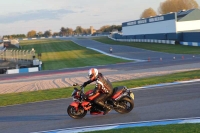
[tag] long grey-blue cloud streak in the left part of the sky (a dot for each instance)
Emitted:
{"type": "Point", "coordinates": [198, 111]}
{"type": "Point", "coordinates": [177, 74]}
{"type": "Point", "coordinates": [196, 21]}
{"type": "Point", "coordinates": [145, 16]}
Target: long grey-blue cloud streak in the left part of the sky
{"type": "Point", "coordinates": [34, 15]}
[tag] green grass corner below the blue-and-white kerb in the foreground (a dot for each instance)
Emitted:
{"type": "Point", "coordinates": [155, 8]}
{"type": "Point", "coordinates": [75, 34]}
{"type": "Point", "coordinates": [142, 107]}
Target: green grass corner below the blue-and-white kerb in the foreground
{"type": "Point", "coordinates": [175, 128]}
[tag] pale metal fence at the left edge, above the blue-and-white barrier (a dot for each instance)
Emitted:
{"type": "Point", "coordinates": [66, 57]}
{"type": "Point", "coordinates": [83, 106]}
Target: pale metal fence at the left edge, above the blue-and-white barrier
{"type": "Point", "coordinates": [17, 55]}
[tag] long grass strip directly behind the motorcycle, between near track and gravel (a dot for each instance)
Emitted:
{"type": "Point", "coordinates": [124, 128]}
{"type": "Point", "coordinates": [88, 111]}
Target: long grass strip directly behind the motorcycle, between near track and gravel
{"type": "Point", "coordinates": [25, 97]}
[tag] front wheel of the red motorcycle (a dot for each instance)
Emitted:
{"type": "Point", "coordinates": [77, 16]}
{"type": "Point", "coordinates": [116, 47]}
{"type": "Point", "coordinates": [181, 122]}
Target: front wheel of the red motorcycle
{"type": "Point", "coordinates": [76, 114]}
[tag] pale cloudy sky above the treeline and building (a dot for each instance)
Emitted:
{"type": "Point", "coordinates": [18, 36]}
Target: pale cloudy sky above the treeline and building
{"type": "Point", "coordinates": [21, 16]}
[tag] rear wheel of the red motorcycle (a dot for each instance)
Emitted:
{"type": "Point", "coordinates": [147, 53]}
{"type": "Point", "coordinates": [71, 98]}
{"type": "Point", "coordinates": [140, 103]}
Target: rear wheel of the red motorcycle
{"type": "Point", "coordinates": [125, 105]}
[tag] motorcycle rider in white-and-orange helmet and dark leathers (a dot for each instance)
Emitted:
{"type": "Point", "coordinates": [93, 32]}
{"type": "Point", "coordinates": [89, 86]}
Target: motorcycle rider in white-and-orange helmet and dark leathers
{"type": "Point", "coordinates": [103, 85]}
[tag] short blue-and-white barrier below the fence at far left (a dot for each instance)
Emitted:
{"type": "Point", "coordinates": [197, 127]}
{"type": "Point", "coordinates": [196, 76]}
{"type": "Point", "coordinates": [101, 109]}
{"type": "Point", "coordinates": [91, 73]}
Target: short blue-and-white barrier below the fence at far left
{"type": "Point", "coordinates": [22, 70]}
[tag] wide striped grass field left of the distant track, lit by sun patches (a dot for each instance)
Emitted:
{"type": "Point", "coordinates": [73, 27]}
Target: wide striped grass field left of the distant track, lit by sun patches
{"type": "Point", "coordinates": [58, 54]}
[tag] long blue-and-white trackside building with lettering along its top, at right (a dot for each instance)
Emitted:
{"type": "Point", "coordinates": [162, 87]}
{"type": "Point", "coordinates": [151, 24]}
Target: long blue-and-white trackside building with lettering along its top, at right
{"type": "Point", "coordinates": [182, 26]}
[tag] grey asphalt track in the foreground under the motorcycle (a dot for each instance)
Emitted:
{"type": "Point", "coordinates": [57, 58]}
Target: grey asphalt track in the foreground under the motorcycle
{"type": "Point", "coordinates": [168, 102]}
